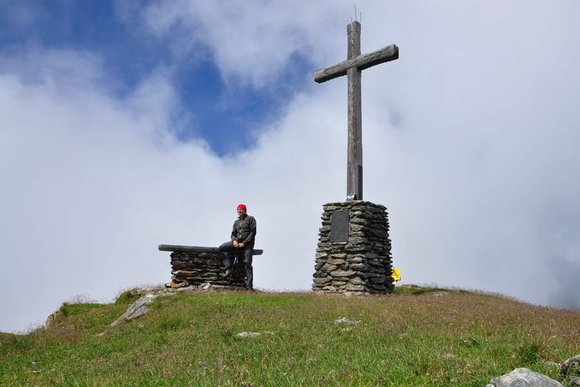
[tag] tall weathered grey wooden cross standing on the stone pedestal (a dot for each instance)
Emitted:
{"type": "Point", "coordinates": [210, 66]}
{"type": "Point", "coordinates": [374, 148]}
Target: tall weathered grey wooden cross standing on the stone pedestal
{"type": "Point", "coordinates": [352, 67]}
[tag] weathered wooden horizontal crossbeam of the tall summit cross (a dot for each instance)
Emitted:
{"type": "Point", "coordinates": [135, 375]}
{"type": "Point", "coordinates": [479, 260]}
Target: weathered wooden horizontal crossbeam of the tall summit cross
{"type": "Point", "coordinates": [361, 62]}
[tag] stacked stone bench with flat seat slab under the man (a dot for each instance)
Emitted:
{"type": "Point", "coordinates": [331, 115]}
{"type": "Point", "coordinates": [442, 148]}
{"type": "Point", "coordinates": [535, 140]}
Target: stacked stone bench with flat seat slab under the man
{"type": "Point", "coordinates": [197, 265]}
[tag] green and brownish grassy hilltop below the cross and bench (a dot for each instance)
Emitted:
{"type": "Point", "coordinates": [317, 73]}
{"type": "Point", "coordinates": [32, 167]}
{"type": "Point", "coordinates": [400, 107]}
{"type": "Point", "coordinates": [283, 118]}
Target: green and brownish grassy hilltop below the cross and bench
{"type": "Point", "coordinates": [416, 337]}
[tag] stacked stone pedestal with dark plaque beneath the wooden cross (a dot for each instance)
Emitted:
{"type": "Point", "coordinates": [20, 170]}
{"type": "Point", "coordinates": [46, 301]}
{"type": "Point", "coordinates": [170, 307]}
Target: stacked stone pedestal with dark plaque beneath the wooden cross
{"type": "Point", "coordinates": [359, 260]}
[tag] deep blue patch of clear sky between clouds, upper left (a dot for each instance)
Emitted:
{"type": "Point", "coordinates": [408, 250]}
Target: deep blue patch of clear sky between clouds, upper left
{"type": "Point", "coordinates": [221, 113]}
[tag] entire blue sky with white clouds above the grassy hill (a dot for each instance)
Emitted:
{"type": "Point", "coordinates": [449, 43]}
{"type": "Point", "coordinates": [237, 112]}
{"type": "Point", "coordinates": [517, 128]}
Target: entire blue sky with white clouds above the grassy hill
{"type": "Point", "coordinates": [128, 124]}
